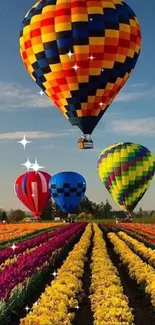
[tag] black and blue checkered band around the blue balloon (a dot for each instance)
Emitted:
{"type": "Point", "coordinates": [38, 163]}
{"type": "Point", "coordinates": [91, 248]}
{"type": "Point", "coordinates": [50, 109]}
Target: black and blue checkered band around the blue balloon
{"type": "Point", "coordinates": [67, 190]}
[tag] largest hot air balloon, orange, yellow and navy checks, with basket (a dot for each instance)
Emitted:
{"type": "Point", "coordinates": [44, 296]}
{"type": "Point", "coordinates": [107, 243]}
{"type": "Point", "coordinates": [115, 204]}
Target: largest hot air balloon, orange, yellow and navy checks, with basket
{"type": "Point", "coordinates": [80, 53]}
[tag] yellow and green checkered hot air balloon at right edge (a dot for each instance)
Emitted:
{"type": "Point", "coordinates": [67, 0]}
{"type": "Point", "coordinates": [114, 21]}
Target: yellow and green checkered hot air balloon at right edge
{"type": "Point", "coordinates": [126, 170]}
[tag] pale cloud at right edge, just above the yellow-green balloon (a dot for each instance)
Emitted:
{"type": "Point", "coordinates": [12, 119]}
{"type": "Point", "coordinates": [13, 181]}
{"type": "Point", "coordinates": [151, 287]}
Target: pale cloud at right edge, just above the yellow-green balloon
{"type": "Point", "coordinates": [141, 126]}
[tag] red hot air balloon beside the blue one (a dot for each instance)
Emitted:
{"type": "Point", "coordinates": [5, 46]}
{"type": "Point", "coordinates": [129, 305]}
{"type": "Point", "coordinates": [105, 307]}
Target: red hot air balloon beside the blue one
{"type": "Point", "coordinates": [32, 190]}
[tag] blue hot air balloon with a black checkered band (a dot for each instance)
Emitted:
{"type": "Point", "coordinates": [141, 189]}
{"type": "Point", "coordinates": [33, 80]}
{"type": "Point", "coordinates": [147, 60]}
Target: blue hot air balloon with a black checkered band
{"type": "Point", "coordinates": [67, 190]}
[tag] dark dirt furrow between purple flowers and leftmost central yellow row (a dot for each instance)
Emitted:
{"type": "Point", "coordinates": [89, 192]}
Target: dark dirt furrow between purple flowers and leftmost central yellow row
{"type": "Point", "coordinates": [48, 278]}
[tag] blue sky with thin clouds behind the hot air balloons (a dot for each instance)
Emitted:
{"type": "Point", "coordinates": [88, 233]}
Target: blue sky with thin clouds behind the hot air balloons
{"type": "Point", "coordinates": [131, 117]}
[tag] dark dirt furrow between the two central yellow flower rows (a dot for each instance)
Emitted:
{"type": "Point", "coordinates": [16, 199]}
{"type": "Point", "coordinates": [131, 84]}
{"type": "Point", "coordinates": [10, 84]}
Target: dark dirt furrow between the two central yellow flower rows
{"type": "Point", "coordinates": [84, 315]}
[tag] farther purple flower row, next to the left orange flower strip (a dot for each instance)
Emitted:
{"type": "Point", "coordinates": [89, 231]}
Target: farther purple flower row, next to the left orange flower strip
{"type": "Point", "coordinates": [30, 243]}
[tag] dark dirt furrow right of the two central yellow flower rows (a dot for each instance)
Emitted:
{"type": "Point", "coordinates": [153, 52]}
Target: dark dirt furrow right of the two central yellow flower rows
{"type": "Point", "coordinates": [142, 308]}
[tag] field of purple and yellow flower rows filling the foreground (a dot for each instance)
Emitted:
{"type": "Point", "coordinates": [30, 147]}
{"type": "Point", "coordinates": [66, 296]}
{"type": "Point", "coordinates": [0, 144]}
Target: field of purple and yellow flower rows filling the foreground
{"type": "Point", "coordinates": [80, 274]}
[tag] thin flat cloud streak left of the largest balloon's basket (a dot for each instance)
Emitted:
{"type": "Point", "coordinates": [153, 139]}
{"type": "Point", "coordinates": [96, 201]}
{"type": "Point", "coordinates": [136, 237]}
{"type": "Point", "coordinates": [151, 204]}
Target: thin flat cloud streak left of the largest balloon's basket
{"type": "Point", "coordinates": [32, 135]}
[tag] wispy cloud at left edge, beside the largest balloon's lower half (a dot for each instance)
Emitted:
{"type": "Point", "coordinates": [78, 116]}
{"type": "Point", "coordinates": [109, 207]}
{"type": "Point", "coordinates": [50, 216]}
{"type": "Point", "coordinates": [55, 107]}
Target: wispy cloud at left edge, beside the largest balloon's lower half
{"type": "Point", "coordinates": [14, 96]}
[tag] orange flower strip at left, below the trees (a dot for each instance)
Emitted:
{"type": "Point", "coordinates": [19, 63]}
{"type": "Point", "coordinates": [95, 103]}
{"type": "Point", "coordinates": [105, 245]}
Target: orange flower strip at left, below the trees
{"type": "Point", "coordinates": [13, 231]}
